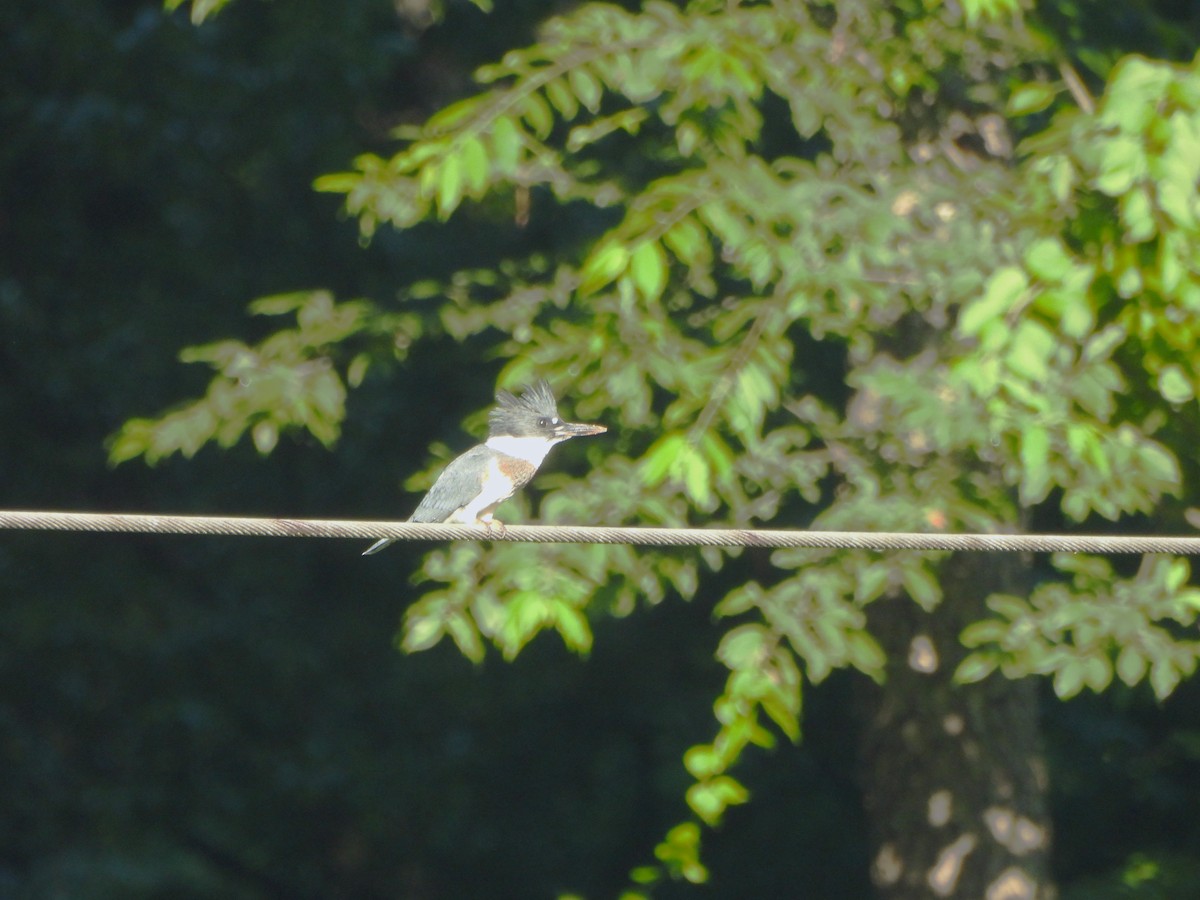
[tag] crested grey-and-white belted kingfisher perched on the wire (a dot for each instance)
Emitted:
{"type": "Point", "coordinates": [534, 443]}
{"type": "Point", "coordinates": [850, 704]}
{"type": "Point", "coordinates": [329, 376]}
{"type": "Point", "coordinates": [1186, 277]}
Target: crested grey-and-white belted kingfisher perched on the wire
{"type": "Point", "coordinates": [520, 434]}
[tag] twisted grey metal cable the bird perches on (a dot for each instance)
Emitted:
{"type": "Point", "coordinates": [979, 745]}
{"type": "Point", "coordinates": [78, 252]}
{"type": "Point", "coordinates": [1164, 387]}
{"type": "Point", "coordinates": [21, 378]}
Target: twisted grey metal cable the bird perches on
{"type": "Point", "coordinates": [243, 526]}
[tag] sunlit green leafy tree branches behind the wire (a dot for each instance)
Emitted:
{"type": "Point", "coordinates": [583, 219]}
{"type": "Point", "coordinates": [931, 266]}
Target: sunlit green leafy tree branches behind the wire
{"type": "Point", "coordinates": [830, 293]}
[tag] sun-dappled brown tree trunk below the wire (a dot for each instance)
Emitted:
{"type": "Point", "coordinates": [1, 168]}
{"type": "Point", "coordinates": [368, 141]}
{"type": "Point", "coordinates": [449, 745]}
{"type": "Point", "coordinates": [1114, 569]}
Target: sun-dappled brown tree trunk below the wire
{"type": "Point", "coordinates": [952, 776]}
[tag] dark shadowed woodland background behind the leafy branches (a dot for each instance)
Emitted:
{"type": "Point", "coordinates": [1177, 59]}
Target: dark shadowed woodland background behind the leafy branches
{"type": "Point", "coordinates": [206, 717]}
